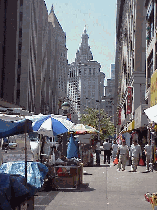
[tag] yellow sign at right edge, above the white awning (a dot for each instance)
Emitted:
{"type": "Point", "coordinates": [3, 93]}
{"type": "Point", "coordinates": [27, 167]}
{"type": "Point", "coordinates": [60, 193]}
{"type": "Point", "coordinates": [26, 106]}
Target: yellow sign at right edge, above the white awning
{"type": "Point", "coordinates": [153, 91]}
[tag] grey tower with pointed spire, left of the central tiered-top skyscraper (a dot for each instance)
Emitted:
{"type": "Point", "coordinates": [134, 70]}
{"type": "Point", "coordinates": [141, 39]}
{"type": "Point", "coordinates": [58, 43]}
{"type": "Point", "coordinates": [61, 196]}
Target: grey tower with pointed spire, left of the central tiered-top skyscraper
{"type": "Point", "coordinates": [60, 59]}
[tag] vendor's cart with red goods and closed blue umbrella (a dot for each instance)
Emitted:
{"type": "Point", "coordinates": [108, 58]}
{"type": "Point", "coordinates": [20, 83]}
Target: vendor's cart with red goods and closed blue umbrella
{"type": "Point", "coordinates": [65, 172]}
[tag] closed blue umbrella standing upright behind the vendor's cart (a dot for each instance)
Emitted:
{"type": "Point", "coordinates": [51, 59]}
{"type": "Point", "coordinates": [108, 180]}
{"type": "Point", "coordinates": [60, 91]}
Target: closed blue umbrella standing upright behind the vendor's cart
{"type": "Point", "coordinates": [72, 150]}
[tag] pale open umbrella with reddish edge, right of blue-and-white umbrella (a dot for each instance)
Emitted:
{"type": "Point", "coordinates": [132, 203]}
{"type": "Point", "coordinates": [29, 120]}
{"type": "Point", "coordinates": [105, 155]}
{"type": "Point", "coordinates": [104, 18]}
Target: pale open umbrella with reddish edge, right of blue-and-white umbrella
{"type": "Point", "coordinates": [82, 129]}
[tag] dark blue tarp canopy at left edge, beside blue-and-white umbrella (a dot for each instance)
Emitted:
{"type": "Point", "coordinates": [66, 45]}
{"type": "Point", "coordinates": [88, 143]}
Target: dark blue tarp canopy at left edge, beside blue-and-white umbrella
{"type": "Point", "coordinates": [10, 128]}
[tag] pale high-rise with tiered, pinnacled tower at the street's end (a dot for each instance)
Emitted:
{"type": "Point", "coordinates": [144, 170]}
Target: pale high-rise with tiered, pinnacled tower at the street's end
{"type": "Point", "coordinates": [84, 79]}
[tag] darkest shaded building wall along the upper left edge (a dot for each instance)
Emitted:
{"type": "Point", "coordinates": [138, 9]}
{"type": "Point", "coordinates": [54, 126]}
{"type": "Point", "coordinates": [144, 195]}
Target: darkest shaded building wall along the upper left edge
{"type": "Point", "coordinates": [9, 27]}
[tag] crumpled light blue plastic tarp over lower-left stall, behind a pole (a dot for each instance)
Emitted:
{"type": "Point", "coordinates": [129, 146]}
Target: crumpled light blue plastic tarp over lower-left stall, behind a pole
{"type": "Point", "coordinates": [36, 171]}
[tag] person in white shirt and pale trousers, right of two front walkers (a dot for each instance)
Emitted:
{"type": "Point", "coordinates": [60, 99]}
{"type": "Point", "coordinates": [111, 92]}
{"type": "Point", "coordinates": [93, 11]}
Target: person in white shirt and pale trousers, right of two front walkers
{"type": "Point", "coordinates": [135, 153]}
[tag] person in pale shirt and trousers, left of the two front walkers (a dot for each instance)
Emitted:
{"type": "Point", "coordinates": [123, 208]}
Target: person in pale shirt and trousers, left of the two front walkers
{"type": "Point", "coordinates": [122, 154]}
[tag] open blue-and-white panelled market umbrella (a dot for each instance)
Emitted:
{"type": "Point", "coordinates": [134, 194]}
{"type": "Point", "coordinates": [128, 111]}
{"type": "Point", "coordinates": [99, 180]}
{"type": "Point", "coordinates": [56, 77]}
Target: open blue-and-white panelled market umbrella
{"type": "Point", "coordinates": [52, 125]}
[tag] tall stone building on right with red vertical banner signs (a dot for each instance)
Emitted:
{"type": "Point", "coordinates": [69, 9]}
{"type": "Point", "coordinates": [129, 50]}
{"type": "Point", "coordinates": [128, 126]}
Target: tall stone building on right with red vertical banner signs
{"type": "Point", "coordinates": [130, 65]}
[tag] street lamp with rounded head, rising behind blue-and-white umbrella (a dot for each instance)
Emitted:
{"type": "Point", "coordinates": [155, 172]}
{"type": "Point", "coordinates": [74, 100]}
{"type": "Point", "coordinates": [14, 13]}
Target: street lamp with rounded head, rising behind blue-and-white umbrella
{"type": "Point", "coordinates": [66, 109]}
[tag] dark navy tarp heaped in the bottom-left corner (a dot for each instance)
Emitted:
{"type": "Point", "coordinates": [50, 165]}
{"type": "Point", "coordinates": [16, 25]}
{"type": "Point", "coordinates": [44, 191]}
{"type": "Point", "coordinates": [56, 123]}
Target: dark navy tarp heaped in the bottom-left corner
{"type": "Point", "coordinates": [13, 191]}
